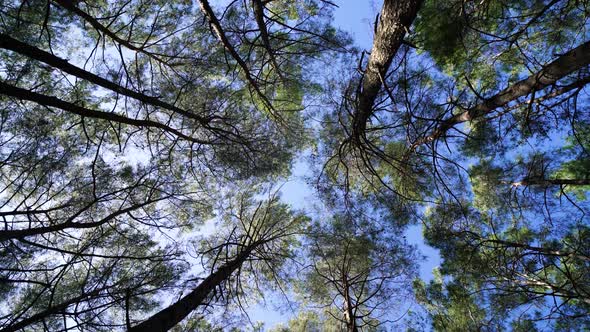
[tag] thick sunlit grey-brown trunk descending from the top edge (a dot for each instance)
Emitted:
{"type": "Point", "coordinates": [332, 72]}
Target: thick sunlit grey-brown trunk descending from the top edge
{"type": "Point", "coordinates": [394, 22]}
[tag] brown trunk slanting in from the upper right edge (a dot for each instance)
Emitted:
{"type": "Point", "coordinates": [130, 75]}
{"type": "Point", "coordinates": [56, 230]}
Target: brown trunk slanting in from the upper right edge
{"type": "Point", "coordinates": [566, 64]}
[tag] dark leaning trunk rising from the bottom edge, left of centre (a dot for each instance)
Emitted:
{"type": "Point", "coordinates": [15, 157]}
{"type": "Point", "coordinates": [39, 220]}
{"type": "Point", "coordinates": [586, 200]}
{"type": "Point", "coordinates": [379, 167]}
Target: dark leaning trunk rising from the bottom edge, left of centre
{"type": "Point", "coordinates": [176, 312]}
